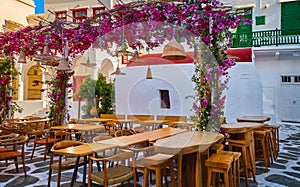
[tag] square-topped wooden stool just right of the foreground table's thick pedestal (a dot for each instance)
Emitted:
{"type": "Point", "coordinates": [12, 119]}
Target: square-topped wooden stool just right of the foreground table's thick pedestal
{"type": "Point", "coordinates": [219, 163]}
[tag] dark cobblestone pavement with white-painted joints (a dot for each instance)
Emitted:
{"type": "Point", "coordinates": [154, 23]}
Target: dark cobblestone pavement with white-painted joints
{"type": "Point", "coordinates": [285, 171]}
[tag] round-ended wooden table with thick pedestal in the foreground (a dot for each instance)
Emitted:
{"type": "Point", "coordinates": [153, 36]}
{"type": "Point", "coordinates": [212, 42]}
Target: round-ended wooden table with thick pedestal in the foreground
{"type": "Point", "coordinates": [188, 147]}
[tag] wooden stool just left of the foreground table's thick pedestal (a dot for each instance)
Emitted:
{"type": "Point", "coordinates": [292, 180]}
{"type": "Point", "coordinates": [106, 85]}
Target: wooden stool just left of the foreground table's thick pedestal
{"type": "Point", "coordinates": [158, 162]}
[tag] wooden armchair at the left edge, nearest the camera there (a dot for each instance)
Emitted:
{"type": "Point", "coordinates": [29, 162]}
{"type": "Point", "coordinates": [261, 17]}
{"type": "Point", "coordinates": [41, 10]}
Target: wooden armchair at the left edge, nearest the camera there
{"type": "Point", "coordinates": [14, 143]}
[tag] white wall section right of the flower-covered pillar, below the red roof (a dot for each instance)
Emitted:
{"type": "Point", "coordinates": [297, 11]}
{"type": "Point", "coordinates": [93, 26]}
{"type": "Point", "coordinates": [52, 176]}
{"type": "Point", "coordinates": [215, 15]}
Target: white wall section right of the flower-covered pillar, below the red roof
{"type": "Point", "coordinates": [244, 94]}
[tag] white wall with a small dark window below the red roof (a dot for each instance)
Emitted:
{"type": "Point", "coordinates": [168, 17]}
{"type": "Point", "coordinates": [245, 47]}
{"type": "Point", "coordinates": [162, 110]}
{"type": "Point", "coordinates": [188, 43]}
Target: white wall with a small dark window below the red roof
{"type": "Point", "coordinates": [137, 95]}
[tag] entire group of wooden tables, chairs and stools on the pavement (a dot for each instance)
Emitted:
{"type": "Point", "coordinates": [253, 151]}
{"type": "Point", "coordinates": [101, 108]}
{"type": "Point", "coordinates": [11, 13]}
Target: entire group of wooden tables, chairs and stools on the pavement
{"type": "Point", "coordinates": [172, 154]}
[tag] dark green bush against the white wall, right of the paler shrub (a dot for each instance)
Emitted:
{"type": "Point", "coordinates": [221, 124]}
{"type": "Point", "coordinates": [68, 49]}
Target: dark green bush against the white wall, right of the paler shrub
{"type": "Point", "coordinates": [104, 95]}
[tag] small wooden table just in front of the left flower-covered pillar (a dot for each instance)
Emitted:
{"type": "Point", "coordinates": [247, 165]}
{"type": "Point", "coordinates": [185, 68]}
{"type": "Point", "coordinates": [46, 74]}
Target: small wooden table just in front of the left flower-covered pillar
{"type": "Point", "coordinates": [80, 127]}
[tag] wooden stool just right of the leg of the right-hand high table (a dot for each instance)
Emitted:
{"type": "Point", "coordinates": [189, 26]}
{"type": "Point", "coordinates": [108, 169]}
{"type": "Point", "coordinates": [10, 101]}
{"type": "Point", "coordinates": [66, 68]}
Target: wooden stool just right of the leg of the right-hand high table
{"type": "Point", "coordinates": [262, 144]}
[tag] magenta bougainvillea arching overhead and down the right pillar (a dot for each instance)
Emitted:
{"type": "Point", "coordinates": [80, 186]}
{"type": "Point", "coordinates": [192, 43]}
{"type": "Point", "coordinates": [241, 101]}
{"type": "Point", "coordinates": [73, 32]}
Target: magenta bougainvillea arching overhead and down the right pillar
{"type": "Point", "coordinates": [209, 21]}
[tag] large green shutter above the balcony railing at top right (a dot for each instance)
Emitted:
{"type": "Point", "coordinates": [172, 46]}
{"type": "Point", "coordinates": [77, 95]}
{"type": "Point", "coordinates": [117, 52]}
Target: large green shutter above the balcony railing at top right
{"type": "Point", "coordinates": [290, 15]}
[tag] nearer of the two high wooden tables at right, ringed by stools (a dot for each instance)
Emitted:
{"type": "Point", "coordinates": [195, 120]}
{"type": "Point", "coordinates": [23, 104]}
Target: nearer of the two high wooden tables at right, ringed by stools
{"type": "Point", "coordinates": [245, 129]}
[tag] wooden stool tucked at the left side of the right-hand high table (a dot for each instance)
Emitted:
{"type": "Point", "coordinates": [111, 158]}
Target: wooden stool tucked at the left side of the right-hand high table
{"type": "Point", "coordinates": [244, 145]}
